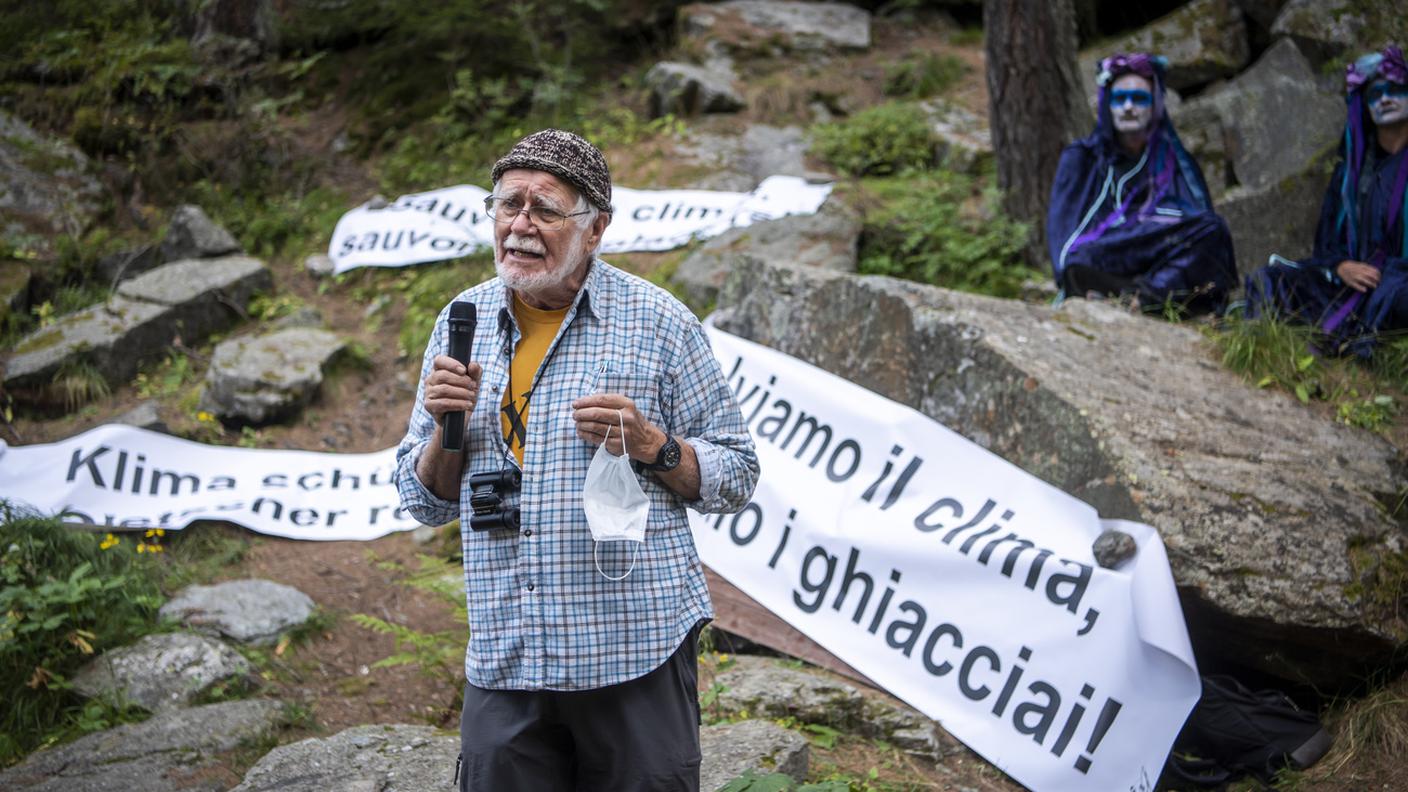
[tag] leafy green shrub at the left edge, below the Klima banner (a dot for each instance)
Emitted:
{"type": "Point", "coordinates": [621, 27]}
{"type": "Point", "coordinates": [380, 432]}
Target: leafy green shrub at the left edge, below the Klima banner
{"type": "Point", "coordinates": [65, 595]}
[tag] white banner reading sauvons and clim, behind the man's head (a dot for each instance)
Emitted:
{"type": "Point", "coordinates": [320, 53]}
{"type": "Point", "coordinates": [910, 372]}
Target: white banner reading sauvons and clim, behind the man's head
{"type": "Point", "coordinates": [450, 223]}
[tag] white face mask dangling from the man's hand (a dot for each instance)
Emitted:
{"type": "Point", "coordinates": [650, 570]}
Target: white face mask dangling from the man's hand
{"type": "Point", "coordinates": [617, 508]}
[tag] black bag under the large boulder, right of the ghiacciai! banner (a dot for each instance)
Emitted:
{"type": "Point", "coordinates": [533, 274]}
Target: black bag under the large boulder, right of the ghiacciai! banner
{"type": "Point", "coordinates": [1236, 732]}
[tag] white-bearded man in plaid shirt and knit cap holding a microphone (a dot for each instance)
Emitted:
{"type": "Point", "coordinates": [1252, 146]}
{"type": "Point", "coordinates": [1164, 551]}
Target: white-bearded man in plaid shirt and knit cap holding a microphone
{"type": "Point", "coordinates": [584, 586]}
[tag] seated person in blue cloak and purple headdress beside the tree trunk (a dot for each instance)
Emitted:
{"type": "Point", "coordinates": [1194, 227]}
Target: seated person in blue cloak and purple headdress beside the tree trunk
{"type": "Point", "coordinates": [1130, 214]}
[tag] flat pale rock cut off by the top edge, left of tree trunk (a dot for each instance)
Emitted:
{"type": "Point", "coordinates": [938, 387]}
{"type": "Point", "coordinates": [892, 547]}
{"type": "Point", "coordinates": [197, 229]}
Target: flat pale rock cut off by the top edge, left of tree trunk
{"type": "Point", "coordinates": [767, 26]}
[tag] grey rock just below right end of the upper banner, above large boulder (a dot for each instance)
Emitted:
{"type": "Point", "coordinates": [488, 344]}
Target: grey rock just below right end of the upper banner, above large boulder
{"type": "Point", "coordinates": [829, 240]}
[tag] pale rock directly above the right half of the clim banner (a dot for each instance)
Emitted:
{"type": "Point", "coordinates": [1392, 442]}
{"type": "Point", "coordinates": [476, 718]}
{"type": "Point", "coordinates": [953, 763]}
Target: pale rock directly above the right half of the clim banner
{"type": "Point", "coordinates": [741, 163]}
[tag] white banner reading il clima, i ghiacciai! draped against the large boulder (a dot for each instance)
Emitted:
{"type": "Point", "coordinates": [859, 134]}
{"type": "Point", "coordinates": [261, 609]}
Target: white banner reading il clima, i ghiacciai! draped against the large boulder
{"type": "Point", "coordinates": [955, 580]}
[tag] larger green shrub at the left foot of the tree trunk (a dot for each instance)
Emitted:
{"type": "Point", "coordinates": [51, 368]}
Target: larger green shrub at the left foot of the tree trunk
{"type": "Point", "coordinates": [937, 229]}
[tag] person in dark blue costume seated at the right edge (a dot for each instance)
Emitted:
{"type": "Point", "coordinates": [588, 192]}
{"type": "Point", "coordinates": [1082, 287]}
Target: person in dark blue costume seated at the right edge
{"type": "Point", "coordinates": [1355, 284]}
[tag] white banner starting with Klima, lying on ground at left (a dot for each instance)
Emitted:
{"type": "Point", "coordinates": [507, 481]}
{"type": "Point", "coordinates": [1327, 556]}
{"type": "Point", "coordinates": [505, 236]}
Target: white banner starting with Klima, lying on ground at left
{"type": "Point", "coordinates": [130, 478]}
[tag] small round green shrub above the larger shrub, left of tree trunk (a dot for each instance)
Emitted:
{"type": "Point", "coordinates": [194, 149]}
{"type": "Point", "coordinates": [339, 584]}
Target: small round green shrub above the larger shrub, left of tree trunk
{"type": "Point", "coordinates": [886, 139]}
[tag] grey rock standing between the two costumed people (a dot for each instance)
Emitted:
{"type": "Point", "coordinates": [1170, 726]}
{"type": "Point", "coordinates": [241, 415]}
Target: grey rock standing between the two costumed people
{"type": "Point", "coordinates": [1245, 125]}
